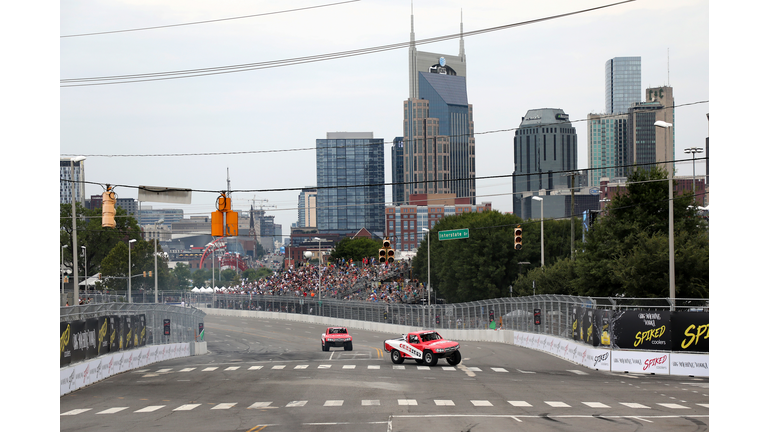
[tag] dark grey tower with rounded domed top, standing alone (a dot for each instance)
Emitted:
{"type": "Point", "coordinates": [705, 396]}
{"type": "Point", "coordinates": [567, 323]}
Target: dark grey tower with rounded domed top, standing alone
{"type": "Point", "coordinates": [545, 148]}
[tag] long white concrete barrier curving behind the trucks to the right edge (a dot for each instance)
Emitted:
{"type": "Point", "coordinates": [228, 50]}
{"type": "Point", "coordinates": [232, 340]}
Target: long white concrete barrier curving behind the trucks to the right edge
{"type": "Point", "coordinates": [596, 358]}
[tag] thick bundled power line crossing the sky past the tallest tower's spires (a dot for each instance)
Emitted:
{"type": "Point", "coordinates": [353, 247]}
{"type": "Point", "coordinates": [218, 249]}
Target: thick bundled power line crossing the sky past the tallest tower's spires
{"type": "Point", "coordinates": [190, 73]}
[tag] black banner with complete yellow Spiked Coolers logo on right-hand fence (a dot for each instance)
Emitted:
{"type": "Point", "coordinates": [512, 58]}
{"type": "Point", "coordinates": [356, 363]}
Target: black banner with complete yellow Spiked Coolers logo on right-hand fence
{"type": "Point", "coordinates": [648, 330]}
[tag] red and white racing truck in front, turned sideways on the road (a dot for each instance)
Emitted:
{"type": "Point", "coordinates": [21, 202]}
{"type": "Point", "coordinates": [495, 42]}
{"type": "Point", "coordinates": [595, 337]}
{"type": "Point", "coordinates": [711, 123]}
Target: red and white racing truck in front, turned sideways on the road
{"type": "Point", "coordinates": [426, 346]}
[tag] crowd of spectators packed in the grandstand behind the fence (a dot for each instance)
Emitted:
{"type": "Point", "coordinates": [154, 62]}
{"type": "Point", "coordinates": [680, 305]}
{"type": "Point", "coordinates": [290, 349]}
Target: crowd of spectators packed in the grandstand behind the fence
{"type": "Point", "coordinates": [343, 280]}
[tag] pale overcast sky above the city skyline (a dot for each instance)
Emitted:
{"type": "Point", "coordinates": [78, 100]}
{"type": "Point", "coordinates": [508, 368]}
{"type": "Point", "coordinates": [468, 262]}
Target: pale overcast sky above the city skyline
{"type": "Point", "coordinates": [552, 64]}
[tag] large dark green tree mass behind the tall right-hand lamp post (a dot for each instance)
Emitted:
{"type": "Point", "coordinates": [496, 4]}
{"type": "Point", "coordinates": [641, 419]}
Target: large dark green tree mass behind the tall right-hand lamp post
{"type": "Point", "coordinates": [627, 249]}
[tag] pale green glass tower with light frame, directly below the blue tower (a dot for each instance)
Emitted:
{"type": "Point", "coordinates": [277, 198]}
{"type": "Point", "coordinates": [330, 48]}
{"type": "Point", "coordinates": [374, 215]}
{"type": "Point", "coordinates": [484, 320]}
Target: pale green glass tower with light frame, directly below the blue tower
{"type": "Point", "coordinates": [608, 150]}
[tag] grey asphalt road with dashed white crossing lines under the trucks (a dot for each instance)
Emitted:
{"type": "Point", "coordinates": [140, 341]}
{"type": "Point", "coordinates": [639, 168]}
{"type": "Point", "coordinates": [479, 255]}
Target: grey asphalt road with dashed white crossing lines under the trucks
{"type": "Point", "coordinates": [268, 375]}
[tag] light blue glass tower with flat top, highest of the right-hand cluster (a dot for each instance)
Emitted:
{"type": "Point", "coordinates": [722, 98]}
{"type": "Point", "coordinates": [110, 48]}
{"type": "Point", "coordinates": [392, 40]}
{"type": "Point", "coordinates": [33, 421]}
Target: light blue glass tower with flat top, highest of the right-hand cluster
{"type": "Point", "coordinates": [622, 84]}
